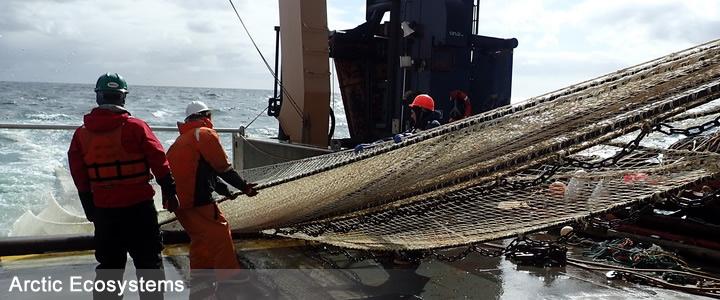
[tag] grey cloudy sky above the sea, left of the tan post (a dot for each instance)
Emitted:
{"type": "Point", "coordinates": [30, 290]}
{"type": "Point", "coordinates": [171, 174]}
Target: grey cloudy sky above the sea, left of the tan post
{"type": "Point", "coordinates": [153, 42]}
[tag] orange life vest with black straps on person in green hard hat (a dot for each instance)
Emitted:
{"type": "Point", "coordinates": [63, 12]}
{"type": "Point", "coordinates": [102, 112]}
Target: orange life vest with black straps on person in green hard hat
{"type": "Point", "coordinates": [107, 163]}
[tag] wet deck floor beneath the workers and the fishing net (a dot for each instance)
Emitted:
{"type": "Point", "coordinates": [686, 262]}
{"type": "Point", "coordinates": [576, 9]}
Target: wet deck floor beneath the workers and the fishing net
{"type": "Point", "coordinates": [287, 270]}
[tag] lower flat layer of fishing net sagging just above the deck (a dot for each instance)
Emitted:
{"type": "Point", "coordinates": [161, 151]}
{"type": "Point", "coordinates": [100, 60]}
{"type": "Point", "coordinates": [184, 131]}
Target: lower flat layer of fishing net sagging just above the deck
{"type": "Point", "coordinates": [480, 214]}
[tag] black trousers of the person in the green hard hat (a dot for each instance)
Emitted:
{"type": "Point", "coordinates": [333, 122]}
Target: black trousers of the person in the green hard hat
{"type": "Point", "coordinates": [133, 230]}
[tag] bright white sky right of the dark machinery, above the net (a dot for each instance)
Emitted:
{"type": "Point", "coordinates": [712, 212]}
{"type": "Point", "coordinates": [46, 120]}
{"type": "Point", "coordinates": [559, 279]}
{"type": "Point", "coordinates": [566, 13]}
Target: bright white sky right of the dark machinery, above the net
{"type": "Point", "coordinates": [562, 43]}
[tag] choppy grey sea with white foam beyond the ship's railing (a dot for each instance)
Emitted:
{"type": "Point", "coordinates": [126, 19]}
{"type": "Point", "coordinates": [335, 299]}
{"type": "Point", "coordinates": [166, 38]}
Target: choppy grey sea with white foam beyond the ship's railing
{"type": "Point", "coordinates": [33, 163]}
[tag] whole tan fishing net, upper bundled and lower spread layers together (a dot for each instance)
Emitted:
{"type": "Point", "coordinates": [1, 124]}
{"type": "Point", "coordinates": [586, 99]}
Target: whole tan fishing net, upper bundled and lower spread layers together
{"type": "Point", "coordinates": [452, 164]}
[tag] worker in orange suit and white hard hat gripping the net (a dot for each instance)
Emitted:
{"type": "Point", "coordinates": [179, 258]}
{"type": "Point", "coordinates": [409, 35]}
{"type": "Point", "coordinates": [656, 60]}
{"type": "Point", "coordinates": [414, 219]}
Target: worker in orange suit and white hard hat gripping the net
{"type": "Point", "coordinates": [197, 159]}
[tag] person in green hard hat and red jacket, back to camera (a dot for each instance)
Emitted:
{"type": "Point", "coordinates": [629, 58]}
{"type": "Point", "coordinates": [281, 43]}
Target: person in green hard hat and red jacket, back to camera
{"type": "Point", "coordinates": [111, 157]}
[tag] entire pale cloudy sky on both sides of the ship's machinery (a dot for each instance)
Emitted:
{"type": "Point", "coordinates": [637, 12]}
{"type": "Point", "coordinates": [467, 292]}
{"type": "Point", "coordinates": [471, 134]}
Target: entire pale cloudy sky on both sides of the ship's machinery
{"type": "Point", "coordinates": [202, 43]}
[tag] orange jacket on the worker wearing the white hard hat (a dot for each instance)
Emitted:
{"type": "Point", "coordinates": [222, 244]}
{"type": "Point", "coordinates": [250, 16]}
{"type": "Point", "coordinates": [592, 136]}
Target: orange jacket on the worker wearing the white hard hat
{"type": "Point", "coordinates": [197, 159]}
